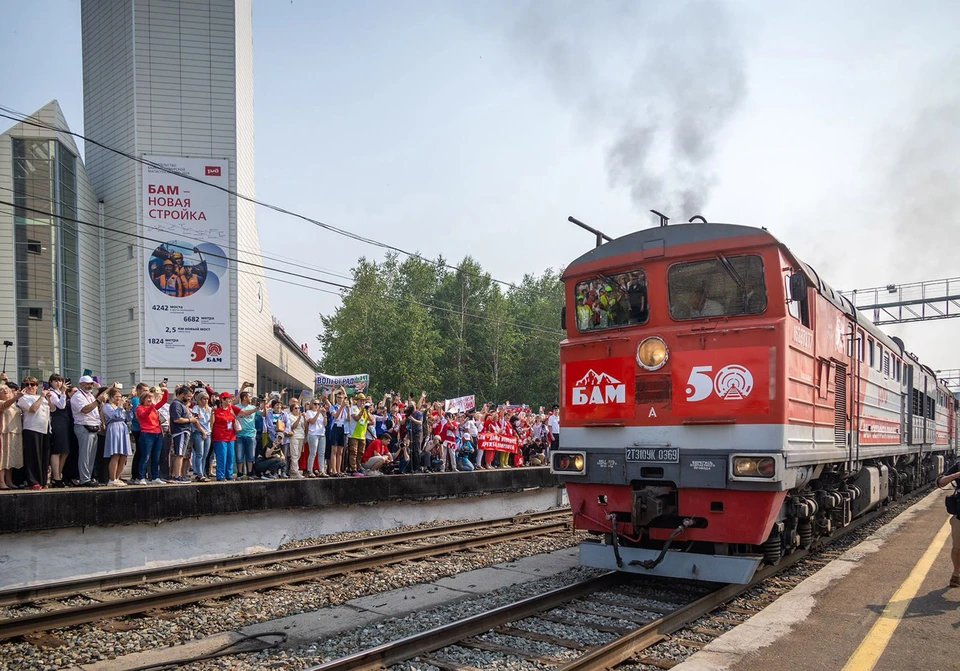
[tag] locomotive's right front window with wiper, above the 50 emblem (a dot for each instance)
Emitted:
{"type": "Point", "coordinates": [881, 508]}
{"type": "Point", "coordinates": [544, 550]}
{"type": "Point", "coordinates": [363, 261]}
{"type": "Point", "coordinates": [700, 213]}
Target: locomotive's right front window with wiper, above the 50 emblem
{"type": "Point", "coordinates": [721, 287]}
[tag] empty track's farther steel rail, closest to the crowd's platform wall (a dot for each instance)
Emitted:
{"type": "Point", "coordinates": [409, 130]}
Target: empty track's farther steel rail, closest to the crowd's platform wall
{"type": "Point", "coordinates": [69, 588]}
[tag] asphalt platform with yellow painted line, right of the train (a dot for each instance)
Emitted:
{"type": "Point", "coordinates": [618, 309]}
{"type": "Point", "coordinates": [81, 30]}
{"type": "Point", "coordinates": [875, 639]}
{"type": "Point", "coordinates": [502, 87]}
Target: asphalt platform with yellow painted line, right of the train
{"type": "Point", "coordinates": [885, 604]}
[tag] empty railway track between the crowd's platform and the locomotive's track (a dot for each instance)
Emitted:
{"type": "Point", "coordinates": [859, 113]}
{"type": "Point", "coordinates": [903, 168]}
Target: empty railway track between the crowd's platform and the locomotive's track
{"type": "Point", "coordinates": [280, 567]}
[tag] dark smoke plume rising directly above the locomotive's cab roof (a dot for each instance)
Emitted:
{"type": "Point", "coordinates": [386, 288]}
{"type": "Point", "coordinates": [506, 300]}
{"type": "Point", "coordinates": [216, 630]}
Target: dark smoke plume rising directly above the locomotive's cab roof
{"type": "Point", "coordinates": [659, 80]}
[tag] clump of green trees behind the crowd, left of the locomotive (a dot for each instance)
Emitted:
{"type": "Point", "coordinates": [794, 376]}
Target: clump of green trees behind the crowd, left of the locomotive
{"type": "Point", "coordinates": [418, 326]}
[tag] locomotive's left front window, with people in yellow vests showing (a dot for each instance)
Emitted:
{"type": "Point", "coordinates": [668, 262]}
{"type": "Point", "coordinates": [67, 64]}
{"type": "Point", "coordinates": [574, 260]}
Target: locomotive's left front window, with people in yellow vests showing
{"type": "Point", "coordinates": [612, 301]}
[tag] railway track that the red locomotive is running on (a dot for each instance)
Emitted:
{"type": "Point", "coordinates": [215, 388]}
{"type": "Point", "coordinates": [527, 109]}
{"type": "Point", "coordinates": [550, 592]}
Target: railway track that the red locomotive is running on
{"type": "Point", "coordinates": [600, 606]}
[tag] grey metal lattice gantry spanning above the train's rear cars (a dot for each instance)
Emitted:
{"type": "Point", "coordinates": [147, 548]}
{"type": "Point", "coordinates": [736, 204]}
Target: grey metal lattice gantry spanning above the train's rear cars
{"type": "Point", "coordinates": [904, 303]}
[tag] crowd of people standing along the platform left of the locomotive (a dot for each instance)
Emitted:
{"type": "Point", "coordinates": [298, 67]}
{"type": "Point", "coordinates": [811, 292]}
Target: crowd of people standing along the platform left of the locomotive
{"type": "Point", "coordinates": [55, 434]}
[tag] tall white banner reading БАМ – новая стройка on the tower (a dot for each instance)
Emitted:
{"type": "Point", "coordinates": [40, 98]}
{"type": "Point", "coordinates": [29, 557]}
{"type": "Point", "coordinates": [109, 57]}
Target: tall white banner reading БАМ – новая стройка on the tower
{"type": "Point", "coordinates": [186, 282]}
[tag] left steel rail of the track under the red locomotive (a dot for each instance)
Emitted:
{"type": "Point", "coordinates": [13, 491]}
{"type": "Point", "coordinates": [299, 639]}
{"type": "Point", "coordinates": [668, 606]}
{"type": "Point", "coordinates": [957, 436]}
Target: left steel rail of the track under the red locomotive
{"type": "Point", "coordinates": [439, 637]}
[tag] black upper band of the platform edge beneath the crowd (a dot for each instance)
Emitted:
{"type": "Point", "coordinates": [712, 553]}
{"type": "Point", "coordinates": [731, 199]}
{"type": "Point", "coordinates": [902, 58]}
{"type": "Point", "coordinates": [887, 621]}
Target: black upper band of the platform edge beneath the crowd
{"type": "Point", "coordinates": [25, 511]}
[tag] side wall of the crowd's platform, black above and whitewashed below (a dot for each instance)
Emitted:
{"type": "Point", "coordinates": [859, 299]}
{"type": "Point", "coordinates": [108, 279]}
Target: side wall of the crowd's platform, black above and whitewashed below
{"type": "Point", "coordinates": [65, 534]}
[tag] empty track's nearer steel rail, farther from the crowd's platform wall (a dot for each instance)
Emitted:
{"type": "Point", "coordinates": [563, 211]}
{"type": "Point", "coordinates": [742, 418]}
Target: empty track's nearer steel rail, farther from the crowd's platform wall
{"type": "Point", "coordinates": [67, 617]}
